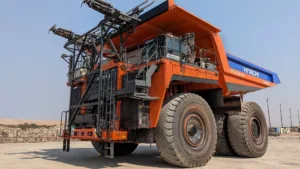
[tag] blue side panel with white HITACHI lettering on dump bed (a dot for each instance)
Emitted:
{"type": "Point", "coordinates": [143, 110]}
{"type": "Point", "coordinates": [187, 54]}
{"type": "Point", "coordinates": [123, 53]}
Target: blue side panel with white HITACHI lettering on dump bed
{"type": "Point", "coordinates": [251, 69]}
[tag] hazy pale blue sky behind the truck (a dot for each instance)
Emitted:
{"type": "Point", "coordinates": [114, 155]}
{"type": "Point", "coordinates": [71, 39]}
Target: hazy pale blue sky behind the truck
{"type": "Point", "coordinates": [33, 77]}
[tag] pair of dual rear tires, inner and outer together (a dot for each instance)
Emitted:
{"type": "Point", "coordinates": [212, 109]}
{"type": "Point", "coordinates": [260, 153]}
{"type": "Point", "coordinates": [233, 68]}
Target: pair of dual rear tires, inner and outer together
{"type": "Point", "coordinates": [243, 133]}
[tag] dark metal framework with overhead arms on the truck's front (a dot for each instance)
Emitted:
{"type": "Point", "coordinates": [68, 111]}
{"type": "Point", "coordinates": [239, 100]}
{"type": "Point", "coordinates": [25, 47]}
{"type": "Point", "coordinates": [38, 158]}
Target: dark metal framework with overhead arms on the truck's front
{"type": "Point", "coordinates": [97, 45]}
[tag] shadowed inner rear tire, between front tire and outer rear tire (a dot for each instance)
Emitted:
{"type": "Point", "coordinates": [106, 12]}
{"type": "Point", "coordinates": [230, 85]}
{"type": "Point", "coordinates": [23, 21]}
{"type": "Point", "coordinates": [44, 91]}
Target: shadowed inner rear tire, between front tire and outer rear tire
{"type": "Point", "coordinates": [223, 145]}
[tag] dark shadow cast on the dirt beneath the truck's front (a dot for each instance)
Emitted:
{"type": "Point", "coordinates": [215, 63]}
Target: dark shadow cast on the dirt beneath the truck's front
{"type": "Point", "coordinates": [144, 156]}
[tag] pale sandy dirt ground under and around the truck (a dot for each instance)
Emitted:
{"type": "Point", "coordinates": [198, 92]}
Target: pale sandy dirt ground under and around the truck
{"type": "Point", "coordinates": [283, 152]}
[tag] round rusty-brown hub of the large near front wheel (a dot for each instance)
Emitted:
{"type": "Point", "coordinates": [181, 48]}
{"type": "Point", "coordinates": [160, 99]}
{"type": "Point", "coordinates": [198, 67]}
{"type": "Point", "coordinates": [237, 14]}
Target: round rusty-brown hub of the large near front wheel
{"type": "Point", "coordinates": [194, 130]}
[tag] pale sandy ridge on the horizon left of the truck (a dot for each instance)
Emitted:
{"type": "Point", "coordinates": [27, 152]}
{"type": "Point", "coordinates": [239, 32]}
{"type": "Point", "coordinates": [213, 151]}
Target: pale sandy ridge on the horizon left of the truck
{"type": "Point", "coordinates": [22, 121]}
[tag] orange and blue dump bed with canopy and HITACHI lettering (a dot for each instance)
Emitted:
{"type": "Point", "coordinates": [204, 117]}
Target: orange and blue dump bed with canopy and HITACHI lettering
{"type": "Point", "coordinates": [236, 75]}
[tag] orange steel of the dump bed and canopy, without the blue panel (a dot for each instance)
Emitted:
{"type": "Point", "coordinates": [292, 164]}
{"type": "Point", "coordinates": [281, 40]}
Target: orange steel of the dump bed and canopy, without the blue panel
{"type": "Point", "coordinates": [178, 22]}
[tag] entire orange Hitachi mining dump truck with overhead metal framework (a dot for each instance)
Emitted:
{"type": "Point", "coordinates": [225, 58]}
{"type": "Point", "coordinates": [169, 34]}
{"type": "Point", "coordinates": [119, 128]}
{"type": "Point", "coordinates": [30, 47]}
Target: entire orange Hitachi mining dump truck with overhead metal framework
{"type": "Point", "coordinates": [162, 76]}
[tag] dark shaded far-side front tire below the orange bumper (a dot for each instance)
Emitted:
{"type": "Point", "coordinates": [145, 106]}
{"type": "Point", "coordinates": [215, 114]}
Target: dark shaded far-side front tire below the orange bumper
{"type": "Point", "coordinates": [120, 149]}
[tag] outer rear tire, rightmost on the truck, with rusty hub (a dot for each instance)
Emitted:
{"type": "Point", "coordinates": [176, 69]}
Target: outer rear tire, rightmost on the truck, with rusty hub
{"type": "Point", "coordinates": [248, 131]}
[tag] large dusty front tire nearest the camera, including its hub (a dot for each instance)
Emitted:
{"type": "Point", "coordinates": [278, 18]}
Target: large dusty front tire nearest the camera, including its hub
{"type": "Point", "coordinates": [186, 134]}
